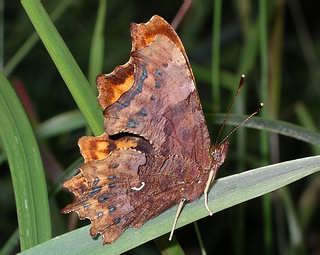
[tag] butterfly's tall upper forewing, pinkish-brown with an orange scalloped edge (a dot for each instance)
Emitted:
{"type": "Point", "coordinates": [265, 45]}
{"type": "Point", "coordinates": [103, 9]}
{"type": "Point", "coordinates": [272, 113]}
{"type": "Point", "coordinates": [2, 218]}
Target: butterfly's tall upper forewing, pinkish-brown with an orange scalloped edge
{"type": "Point", "coordinates": [162, 104]}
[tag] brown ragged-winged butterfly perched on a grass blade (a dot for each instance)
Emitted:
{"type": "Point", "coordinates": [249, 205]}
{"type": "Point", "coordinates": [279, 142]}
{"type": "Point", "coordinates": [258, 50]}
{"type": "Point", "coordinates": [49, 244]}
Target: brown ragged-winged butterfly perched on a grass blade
{"type": "Point", "coordinates": [156, 150]}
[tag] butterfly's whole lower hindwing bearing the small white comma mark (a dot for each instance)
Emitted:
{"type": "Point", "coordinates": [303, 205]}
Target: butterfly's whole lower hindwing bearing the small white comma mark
{"type": "Point", "coordinates": [124, 190]}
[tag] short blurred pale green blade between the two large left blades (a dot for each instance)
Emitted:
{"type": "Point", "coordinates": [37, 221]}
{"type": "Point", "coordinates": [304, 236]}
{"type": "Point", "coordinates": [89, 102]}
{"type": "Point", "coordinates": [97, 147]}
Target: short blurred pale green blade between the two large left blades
{"type": "Point", "coordinates": [60, 124]}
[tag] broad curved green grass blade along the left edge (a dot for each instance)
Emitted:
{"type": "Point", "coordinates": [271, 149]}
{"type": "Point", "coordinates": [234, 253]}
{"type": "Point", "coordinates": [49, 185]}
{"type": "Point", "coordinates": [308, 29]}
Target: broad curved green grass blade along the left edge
{"type": "Point", "coordinates": [26, 168]}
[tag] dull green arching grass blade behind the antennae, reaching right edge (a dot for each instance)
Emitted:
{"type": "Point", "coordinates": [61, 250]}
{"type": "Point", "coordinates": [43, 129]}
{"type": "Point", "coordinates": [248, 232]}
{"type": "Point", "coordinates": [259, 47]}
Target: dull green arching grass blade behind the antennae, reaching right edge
{"type": "Point", "coordinates": [275, 126]}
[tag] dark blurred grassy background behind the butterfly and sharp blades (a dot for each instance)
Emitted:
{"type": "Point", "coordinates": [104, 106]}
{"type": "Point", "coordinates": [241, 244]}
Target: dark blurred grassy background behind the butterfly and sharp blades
{"type": "Point", "coordinates": [275, 43]}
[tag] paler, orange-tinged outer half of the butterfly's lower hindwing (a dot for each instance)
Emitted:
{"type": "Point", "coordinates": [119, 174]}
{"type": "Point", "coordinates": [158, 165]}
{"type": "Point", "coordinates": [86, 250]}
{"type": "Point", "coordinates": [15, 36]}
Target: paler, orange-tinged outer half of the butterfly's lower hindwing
{"type": "Point", "coordinates": [102, 191]}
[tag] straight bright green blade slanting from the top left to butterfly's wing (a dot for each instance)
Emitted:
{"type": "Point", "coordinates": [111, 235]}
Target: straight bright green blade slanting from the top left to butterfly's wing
{"type": "Point", "coordinates": [67, 66]}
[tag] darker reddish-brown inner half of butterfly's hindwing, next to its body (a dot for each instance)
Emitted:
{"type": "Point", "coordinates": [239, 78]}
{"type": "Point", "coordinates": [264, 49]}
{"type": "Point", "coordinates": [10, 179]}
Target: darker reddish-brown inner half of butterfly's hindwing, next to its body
{"type": "Point", "coordinates": [163, 187]}
